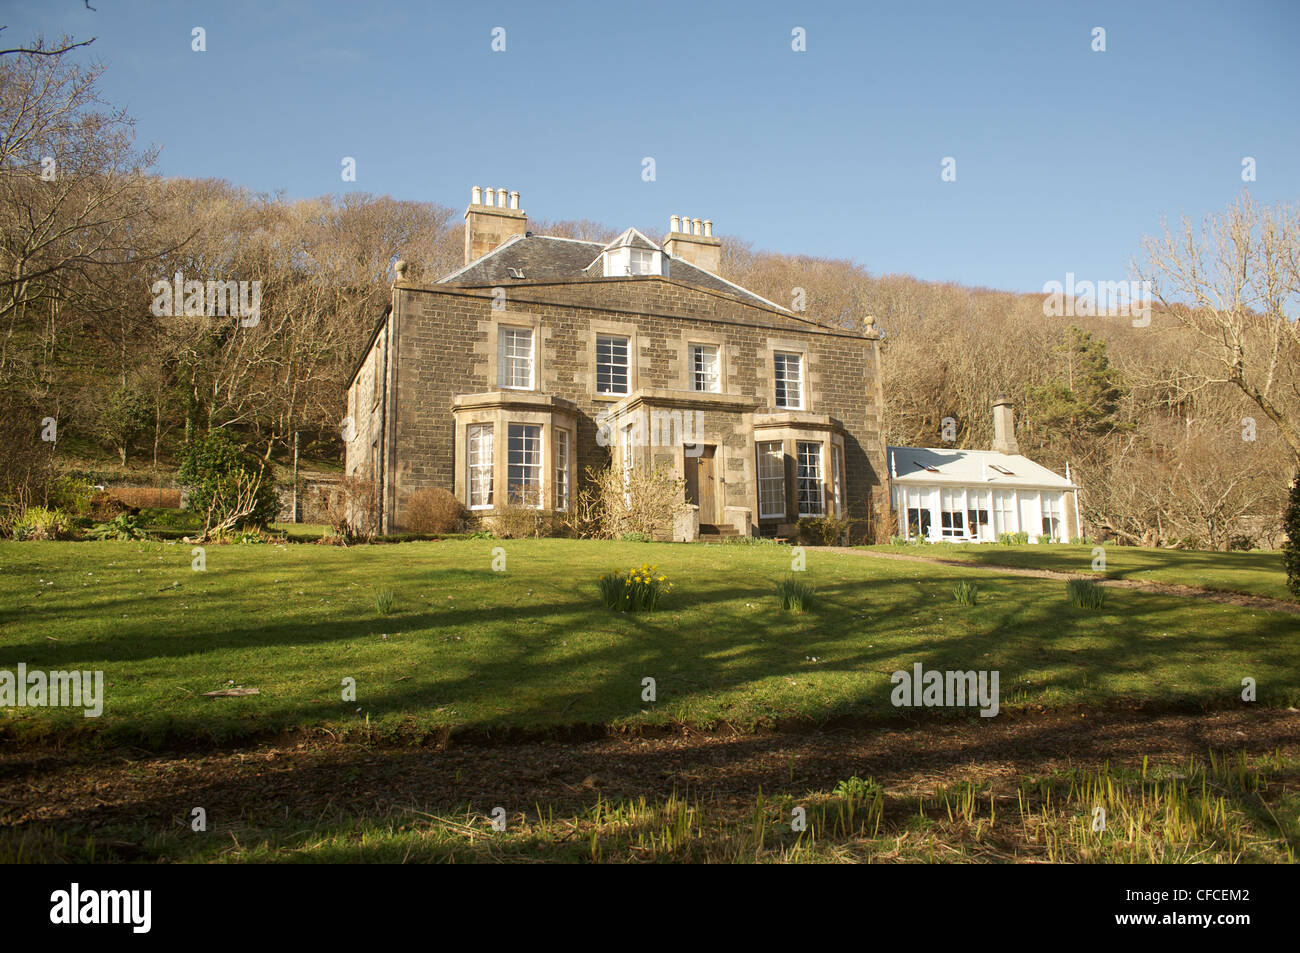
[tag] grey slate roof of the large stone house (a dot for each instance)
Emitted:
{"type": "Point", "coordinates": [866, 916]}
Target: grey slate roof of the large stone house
{"type": "Point", "coordinates": [545, 258]}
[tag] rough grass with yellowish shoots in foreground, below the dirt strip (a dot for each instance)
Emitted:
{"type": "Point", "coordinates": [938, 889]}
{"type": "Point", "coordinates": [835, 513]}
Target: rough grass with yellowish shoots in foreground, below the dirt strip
{"type": "Point", "coordinates": [1229, 811]}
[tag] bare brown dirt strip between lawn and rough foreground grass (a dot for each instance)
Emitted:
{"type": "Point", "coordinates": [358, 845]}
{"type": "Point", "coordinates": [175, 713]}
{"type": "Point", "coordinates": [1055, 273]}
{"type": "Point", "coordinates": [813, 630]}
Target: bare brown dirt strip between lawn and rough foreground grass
{"type": "Point", "coordinates": [84, 792]}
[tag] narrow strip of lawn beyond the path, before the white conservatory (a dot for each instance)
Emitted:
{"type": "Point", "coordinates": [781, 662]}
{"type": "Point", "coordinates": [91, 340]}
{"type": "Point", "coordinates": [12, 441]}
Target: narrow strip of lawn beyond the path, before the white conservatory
{"type": "Point", "coordinates": [1256, 574]}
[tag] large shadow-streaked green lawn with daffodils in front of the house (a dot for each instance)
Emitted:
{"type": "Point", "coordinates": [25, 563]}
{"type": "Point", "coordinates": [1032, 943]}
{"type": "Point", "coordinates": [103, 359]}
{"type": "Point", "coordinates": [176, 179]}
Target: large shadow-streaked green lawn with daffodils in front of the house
{"type": "Point", "coordinates": [467, 648]}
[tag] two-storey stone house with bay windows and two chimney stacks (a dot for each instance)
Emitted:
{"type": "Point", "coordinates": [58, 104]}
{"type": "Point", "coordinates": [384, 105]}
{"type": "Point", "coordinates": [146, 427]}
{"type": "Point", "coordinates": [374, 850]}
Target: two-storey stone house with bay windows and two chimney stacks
{"type": "Point", "coordinates": [544, 358]}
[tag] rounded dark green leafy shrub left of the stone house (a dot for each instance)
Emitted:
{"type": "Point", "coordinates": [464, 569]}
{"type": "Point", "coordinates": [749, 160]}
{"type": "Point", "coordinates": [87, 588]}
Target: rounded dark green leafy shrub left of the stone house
{"type": "Point", "coordinates": [231, 488]}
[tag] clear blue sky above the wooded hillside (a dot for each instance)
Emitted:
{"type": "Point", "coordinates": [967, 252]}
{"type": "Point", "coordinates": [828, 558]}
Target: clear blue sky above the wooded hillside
{"type": "Point", "coordinates": [1065, 157]}
